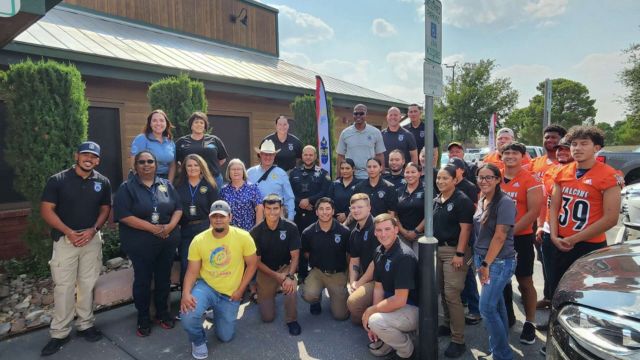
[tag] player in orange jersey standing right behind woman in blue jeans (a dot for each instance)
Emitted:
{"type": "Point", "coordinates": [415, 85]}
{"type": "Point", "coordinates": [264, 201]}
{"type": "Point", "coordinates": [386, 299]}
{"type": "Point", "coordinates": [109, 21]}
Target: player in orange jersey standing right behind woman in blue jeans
{"type": "Point", "coordinates": [526, 193]}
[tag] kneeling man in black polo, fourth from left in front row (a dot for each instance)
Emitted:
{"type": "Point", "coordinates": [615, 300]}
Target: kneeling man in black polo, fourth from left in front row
{"type": "Point", "coordinates": [362, 246]}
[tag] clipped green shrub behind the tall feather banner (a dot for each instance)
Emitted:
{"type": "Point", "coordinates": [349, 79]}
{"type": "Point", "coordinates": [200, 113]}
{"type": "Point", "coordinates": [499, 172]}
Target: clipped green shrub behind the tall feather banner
{"type": "Point", "coordinates": [304, 114]}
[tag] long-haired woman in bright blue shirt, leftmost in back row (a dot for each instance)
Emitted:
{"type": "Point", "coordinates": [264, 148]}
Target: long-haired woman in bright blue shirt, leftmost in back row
{"type": "Point", "coordinates": [156, 137]}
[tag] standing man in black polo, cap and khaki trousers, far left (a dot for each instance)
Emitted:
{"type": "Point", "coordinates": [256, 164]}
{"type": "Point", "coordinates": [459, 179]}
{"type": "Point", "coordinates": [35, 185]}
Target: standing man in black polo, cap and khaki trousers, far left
{"type": "Point", "coordinates": [75, 204]}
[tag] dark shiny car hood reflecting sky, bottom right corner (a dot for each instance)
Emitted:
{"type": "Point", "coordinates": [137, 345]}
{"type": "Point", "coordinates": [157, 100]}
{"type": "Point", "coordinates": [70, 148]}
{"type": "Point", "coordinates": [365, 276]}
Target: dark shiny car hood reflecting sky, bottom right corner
{"type": "Point", "coordinates": [607, 279]}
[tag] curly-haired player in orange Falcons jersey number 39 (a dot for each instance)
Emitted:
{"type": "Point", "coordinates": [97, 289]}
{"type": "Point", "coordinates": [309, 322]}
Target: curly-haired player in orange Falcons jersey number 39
{"type": "Point", "coordinates": [585, 201]}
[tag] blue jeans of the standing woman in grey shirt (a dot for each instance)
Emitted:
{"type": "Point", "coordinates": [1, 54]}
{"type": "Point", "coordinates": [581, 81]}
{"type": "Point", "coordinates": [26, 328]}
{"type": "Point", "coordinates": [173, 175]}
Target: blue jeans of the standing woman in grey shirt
{"type": "Point", "coordinates": [492, 306]}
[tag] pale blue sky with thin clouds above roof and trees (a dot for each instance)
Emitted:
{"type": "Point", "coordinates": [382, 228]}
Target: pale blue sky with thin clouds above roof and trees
{"type": "Point", "coordinates": [379, 44]}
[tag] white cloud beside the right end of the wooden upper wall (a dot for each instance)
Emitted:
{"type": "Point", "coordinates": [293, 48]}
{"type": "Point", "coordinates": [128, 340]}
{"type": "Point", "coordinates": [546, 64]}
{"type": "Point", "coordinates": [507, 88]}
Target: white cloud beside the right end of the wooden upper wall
{"type": "Point", "coordinates": [308, 28]}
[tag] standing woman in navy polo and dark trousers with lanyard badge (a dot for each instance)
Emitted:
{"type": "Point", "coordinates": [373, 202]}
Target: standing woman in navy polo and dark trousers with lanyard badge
{"type": "Point", "coordinates": [147, 208]}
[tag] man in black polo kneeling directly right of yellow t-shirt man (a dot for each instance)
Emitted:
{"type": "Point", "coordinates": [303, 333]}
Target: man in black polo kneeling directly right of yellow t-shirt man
{"type": "Point", "coordinates": [278, 249]}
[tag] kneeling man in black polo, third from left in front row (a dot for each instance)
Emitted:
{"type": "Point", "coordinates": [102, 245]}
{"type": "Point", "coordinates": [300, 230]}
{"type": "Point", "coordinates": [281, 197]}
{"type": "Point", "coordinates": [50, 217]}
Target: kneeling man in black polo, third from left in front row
{"type": "Point", "coordinates": [326, 244]}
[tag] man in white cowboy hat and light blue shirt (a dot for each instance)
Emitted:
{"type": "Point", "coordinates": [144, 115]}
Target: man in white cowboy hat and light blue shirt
{"type": "Point", "coordinates": [271, 179]}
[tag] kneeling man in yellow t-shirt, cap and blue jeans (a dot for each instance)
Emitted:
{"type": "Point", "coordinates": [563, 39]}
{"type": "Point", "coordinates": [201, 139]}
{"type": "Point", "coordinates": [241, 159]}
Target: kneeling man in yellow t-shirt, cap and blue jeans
{"type": "Point", "coordinates": [216, 278]}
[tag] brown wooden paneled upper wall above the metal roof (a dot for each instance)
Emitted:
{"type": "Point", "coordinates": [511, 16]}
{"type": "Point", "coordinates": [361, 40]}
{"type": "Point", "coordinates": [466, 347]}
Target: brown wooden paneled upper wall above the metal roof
{"type": "Point", "coordinates": [207, 18]}
